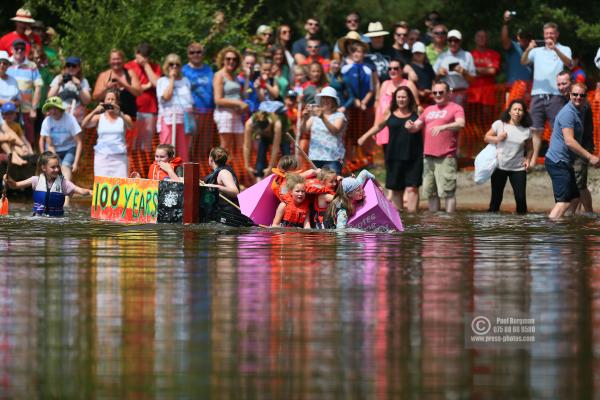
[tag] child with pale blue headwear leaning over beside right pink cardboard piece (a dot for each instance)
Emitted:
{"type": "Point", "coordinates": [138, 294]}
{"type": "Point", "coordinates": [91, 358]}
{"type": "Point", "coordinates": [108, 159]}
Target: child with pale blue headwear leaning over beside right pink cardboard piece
{"type": "Point", "coordinates": [348, 195]}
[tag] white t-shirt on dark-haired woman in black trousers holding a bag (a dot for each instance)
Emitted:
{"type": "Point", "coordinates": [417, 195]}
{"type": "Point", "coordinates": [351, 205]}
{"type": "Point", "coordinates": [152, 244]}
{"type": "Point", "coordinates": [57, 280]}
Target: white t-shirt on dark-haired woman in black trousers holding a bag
{"type": "Point", "coordinates": [511, 151]}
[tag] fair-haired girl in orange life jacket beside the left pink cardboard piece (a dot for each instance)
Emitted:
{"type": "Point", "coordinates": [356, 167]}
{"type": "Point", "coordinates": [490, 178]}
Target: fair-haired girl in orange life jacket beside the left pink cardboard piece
{"type": "Point", "coordinates": [294, 210]}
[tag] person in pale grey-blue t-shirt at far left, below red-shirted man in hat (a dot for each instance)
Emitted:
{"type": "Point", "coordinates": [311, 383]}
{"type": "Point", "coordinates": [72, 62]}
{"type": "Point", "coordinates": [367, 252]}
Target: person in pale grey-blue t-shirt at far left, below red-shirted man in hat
{"type": "Point", "coordinates": [30, 86]}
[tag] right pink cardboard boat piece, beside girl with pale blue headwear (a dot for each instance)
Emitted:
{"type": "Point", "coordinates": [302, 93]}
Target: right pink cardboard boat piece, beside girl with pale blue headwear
{"type": "Point", "coordinates": [376, 212]}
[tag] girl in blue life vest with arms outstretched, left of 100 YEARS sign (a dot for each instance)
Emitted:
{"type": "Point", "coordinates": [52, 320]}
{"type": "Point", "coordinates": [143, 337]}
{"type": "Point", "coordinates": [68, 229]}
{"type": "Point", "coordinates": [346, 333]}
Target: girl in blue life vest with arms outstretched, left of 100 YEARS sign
{"type": "Point", "coordinates": [49, 188]}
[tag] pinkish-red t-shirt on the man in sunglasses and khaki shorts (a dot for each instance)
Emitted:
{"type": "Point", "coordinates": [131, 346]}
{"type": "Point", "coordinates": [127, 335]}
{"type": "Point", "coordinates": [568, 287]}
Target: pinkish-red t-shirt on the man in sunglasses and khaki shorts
{"type": "Point", "coordinates": [445, 143]}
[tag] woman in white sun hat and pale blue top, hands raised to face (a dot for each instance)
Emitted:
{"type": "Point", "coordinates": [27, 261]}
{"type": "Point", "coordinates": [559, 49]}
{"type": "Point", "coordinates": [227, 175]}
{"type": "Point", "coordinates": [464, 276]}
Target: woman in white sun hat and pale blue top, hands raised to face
{"type": "Point", "coordinates": [327, 128]}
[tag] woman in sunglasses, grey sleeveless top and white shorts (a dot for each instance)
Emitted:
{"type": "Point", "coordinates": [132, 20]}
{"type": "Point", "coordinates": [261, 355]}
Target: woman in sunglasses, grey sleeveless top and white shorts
{"type": "Point", "coordinates": [229, 102]}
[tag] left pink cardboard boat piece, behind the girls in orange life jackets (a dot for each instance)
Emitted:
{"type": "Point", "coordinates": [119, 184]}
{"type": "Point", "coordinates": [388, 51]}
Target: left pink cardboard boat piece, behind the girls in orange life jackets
{"type": "Point", "coordinates": [258, 202]}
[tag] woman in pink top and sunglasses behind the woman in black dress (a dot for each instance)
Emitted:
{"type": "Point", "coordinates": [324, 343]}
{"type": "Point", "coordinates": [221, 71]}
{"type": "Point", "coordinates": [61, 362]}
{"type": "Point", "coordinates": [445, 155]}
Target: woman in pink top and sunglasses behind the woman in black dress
{"type": "Point", "coordinates": [384, 97]}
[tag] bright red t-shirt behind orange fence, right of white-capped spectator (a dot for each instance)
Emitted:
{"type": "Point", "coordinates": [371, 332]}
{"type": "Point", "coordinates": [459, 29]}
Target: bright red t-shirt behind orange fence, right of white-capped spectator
{"type": "Point", "coordinates": [481, 89]}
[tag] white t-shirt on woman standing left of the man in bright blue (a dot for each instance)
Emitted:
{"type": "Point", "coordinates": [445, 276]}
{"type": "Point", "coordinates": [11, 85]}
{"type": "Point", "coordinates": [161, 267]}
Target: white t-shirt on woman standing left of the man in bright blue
{"type": "Point", "coordinates": [180, 101]}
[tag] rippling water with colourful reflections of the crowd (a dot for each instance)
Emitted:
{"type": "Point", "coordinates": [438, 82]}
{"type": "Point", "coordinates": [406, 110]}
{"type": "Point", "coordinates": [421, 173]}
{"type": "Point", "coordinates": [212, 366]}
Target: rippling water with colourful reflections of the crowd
{"type": "Point", "coordinates": [98, 310]}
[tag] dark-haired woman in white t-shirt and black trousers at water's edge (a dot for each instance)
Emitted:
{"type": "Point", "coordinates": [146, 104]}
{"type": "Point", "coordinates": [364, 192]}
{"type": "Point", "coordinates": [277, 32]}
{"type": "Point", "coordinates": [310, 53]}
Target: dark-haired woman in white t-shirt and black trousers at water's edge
{"type": "Point", "coordinates": [512, 138]}
